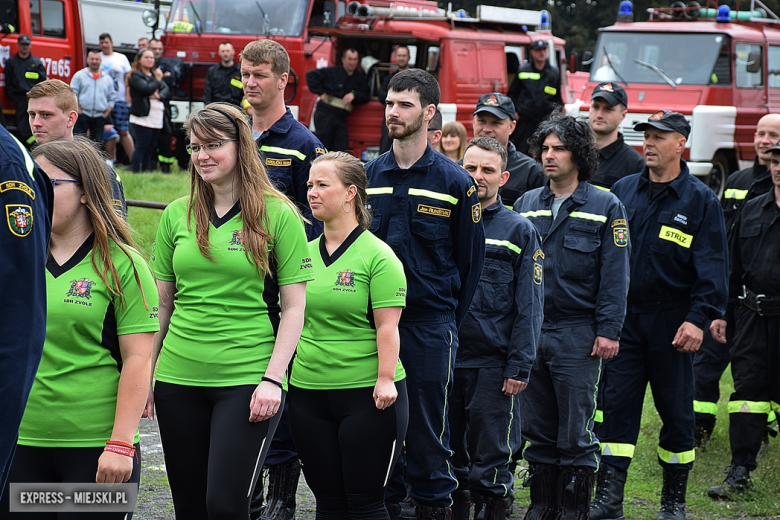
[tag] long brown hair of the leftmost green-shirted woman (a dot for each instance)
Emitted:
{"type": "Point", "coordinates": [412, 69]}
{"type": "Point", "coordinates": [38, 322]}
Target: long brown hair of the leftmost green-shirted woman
{"type": "Point", "coordinates": [81, 160]}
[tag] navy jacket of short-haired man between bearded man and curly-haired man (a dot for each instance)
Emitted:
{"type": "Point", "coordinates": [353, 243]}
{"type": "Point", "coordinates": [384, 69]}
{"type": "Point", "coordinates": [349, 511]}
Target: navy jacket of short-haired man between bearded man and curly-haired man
{"type": "Point", "coordinates": [502, 326]}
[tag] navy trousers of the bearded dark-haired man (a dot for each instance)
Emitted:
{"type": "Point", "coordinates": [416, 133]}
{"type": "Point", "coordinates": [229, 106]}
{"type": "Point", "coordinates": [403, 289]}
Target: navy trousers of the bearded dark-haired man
{"type": "Point", "coordinates": [428, 355]}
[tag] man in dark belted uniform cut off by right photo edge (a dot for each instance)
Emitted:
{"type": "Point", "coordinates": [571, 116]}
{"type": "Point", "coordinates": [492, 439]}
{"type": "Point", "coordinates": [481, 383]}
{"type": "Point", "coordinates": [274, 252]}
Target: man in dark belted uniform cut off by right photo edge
{"type": "Point", "coordinates": [754, 299]}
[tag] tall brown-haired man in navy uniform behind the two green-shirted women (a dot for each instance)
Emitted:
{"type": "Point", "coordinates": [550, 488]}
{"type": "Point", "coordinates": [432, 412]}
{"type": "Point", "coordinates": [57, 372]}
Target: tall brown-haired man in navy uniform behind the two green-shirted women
{"type": "Point", "coordinates": [287, 149]}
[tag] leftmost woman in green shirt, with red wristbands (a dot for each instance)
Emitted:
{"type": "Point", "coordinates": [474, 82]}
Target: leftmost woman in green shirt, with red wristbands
{"type": "Point", "coordinates": [81, 420]}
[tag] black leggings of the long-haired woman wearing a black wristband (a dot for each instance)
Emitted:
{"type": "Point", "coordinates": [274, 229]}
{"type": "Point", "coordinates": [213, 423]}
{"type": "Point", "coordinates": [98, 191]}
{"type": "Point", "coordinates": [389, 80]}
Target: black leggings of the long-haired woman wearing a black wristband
{"type": "Point", "coordinates": [213, 454]}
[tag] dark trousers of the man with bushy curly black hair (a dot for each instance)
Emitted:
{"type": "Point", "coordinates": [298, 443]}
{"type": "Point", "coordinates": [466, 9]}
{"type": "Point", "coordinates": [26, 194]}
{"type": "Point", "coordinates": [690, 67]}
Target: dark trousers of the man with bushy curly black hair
{"type": "Point", "coordinates": [564, 378]}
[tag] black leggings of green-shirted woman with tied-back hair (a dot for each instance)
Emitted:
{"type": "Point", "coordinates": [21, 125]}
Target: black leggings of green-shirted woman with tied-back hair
{"type": "Point", "coordinates": [347, 447]}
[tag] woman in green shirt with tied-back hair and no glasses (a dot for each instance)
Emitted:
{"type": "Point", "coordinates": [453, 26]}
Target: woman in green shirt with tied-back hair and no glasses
{"type": "Point", "coordinates": [348, 401]}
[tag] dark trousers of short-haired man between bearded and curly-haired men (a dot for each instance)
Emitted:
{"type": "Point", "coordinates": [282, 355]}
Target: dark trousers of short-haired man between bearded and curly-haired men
{"type": "Point", "coordinates": [481, 420]}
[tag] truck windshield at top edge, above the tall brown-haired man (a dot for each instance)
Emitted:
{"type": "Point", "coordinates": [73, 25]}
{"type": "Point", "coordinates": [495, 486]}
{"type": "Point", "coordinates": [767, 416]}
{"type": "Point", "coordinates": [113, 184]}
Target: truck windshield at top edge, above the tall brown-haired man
{"type": "Point", "coordinates": [266, 17]}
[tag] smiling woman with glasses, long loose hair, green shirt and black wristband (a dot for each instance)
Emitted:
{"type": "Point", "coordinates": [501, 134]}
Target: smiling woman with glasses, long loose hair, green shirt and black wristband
{"type": "Point", "coordinates": [228, 258]}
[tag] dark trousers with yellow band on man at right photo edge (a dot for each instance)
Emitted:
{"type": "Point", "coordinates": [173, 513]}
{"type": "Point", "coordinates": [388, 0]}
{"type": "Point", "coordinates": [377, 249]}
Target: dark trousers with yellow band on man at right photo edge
{"type": "Point", "coordinates": [755, 363]}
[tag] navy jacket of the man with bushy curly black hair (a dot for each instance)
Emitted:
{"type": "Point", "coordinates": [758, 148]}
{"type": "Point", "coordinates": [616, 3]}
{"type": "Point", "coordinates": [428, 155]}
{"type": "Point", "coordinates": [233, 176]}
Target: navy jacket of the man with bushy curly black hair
{"type": "Point", "coordinates": [586, 251]}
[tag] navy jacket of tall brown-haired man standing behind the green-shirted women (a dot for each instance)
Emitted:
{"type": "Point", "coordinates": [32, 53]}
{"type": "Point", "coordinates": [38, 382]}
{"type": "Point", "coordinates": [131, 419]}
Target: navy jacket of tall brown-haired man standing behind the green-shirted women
{"type": "Point", "coordinates": [287, 150]}
